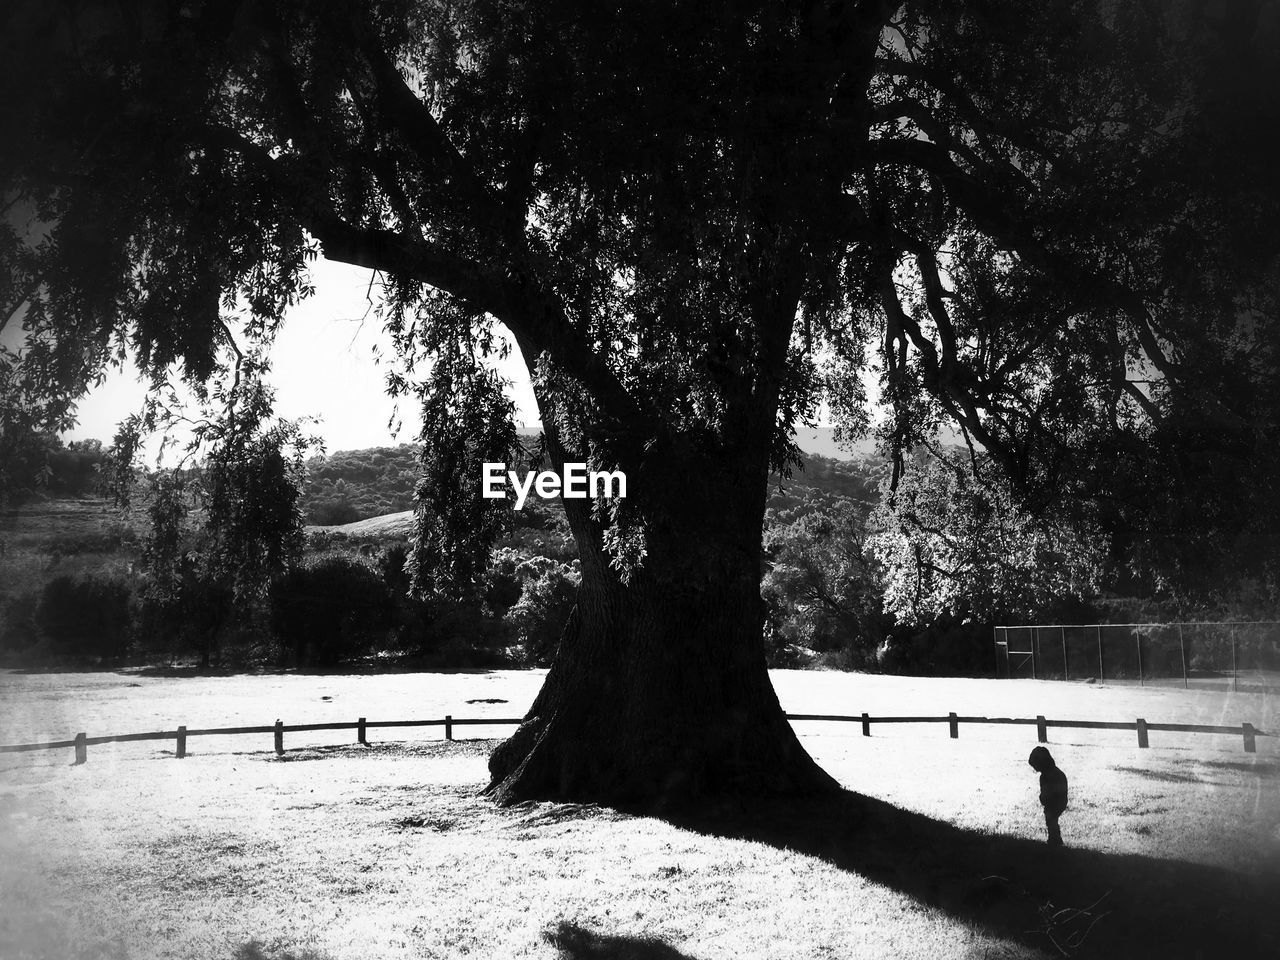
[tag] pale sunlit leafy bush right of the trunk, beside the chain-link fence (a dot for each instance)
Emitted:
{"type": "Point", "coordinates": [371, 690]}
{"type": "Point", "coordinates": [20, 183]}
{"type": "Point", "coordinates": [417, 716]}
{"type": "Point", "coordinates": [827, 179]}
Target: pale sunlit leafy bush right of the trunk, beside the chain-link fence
{"type": "Point", "coordinates": [950, 543]}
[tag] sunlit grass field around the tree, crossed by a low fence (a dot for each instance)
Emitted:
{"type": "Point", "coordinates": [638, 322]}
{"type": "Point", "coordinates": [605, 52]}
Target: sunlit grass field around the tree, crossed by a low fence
{"type": "Point", "coordinates": [346, 853]}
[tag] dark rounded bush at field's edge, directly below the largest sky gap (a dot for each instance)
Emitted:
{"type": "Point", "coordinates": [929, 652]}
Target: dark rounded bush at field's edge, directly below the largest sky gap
{"type": "Point", "coordinates": [328, 610]}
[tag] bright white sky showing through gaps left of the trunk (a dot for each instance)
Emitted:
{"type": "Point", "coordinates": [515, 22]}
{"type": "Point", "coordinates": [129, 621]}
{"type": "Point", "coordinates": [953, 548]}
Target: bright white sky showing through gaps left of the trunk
{"type": "Point", "coordinates": [323, 364]}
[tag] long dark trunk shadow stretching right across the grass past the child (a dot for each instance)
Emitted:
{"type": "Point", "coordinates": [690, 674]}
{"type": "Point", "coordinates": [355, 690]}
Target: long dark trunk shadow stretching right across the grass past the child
{"type": "Point", "coordinates": [1092, 904]}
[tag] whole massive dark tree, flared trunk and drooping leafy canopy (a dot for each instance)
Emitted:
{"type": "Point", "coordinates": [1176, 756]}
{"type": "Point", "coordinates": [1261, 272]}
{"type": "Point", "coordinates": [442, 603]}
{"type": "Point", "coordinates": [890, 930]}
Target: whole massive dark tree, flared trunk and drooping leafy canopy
{"type": "Point", "coordinates": [693, 220]}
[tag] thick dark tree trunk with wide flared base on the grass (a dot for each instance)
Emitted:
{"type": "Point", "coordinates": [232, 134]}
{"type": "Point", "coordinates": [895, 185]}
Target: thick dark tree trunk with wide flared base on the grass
{"type": "Point", "coordinates": [660, 693]}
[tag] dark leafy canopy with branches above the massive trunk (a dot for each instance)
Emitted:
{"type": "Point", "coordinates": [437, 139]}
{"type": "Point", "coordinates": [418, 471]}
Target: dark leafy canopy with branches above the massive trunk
{"type": "Point", "coordinates": [998, 220]}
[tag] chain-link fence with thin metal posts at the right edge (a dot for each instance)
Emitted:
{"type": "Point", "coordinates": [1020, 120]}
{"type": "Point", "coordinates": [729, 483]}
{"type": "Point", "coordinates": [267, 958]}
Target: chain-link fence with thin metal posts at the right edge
{"type": "Point", "coordinates": [1223, 656]}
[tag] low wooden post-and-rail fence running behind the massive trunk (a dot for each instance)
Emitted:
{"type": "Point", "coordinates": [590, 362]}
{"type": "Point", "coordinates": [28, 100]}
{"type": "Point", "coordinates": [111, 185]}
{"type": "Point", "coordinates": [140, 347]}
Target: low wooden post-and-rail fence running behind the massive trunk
{"type": "Point", "coordinates": [81, 743]}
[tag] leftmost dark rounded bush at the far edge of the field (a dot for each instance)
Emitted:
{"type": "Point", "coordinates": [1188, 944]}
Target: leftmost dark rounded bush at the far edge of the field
{"type": "Point", "coordinates": [88, 618]}
